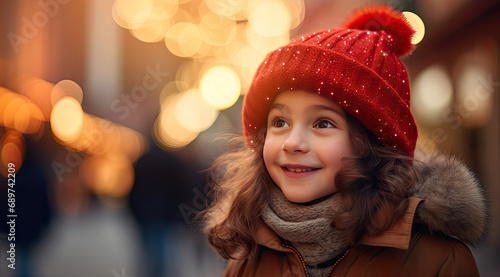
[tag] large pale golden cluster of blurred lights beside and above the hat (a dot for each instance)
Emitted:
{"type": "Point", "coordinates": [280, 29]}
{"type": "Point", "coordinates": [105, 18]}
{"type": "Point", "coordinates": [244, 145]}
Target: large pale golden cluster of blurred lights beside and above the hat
{"type": "Point", "coordinates": [224, 41]}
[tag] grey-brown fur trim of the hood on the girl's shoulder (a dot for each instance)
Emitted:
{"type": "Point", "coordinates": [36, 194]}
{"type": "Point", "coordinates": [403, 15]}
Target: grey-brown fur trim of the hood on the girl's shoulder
{"type": "Point", "coordinates": [455, 202]}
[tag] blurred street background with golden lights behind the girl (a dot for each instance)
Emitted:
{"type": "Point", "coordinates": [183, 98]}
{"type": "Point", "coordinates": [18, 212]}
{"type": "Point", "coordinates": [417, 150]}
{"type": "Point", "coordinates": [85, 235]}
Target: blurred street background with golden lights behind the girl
{"type": "Point", "coordinates": [110, 110]}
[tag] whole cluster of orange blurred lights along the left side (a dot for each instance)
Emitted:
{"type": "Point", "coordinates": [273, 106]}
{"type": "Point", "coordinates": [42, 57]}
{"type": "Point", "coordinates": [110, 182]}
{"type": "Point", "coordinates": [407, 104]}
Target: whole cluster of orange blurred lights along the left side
{"type": "Point", "coordinates": [111, 149]}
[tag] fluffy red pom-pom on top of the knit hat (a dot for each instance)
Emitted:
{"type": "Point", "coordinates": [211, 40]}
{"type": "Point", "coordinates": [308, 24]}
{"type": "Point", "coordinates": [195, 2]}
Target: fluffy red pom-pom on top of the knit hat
{"type": "Point", "coordinates": [385, 18]}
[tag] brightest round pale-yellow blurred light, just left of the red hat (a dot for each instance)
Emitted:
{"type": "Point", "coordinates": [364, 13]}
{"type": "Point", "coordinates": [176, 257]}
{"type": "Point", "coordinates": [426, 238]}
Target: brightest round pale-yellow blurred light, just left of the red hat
{"type": "Point", "coordinates": [220, 86]}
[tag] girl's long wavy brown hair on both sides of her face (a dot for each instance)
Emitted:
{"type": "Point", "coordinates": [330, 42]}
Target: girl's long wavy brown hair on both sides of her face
{"type": "Point", "coordinates": [374, 183]}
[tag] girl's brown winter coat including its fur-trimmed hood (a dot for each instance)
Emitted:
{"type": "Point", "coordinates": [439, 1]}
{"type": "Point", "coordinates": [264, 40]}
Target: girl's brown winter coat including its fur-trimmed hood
{"type": "Point", "coordinates": [447, 209]}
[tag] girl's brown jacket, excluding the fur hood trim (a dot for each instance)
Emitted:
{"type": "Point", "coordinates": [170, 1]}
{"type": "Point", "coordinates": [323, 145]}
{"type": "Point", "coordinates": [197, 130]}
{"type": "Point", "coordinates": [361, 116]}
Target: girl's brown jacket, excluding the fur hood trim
{"type": "Point", "coordinates": [397, 252]}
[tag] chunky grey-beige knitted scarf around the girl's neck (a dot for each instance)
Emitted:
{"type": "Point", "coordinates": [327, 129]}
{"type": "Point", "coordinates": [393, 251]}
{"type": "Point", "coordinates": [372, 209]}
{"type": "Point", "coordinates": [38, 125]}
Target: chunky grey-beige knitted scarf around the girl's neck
{"type": "Point", "coordinates": [308, 229]}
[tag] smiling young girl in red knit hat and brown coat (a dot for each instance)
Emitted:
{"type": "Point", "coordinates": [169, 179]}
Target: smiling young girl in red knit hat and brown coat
{"type": "Point", "coordinates": [325, 183]}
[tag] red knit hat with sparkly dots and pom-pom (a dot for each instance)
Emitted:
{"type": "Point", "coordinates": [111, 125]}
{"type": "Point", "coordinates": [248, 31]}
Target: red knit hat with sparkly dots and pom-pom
{"type": "Point", "coordinates": [357, 66]}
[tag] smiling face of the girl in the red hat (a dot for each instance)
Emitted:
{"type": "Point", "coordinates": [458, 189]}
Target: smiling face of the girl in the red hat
{"type": "Point", "coordinates": [307, 137]}
